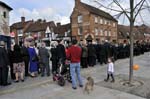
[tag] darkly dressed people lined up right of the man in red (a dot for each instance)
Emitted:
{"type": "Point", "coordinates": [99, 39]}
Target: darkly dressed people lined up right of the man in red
{"type": "Point", "coordinates": [104, 49]}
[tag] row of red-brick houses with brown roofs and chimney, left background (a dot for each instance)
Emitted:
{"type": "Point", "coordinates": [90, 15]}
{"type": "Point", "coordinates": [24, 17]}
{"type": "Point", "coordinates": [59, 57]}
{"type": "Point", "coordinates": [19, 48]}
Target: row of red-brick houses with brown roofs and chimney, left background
{"type": "Point", "coordinates": [36, 29]}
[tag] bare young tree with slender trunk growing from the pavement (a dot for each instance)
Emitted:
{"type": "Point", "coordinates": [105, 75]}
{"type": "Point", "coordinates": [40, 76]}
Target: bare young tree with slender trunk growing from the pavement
{"type": "Point", "coordinates": [131, 13]}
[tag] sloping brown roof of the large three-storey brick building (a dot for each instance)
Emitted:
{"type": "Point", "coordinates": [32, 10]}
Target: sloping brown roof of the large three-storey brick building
{"type": "Point", "coordinates": [98, 12]}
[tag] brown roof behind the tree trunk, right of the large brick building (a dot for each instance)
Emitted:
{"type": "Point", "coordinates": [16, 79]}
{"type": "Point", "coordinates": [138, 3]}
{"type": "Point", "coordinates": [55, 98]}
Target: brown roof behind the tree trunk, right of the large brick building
{"type": "Point", "coordinates": [123, 32]}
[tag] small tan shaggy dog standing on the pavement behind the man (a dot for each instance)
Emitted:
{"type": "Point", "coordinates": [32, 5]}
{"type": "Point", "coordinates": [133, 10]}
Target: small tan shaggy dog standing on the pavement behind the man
{"type": "Point", "coordinates": [89, 85]}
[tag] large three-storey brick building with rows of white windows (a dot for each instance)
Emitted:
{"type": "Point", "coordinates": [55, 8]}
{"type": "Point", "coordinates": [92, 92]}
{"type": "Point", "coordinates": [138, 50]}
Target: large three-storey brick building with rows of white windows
{"type": "Point", "coordinates": [90, 23]}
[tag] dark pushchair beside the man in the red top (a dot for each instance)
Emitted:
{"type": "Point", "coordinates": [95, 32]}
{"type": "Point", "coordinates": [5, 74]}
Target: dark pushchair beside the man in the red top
{"type": "Point", "coordinates": [63, 74]}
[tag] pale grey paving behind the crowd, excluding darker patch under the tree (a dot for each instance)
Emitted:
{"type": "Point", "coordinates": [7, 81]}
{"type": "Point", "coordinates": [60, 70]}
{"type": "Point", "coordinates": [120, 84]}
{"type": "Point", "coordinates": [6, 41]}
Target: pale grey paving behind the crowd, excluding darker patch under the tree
{"type": "Point", "coordinates": [45, 88]}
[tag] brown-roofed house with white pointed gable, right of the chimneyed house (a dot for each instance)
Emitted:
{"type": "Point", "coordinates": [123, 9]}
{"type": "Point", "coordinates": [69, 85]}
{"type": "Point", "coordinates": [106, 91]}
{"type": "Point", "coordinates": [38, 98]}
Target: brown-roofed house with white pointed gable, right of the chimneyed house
{"type": "Point", "coordinates": [38, 29]}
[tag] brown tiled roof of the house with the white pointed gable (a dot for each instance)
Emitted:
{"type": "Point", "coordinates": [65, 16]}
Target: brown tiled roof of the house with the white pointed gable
{"type": "Point", "coordinates": [39, 26]}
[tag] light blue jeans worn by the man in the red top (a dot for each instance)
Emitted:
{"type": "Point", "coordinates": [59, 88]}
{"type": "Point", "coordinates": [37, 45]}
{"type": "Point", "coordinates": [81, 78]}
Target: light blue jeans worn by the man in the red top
{"type": "Point", "coordinates": [75, 71]}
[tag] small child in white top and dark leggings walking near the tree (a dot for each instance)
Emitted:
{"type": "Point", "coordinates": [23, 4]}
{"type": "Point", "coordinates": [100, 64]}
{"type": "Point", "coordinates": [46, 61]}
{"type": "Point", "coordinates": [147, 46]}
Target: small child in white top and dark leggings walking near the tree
{"type": "Point", "coordinates": [110, 70]}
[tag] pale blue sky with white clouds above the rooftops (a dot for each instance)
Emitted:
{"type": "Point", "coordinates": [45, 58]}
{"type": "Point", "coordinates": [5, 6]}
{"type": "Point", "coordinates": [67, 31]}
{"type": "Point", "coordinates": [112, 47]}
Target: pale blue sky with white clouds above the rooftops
{"type": "Point", "coordinates": [53, 10]}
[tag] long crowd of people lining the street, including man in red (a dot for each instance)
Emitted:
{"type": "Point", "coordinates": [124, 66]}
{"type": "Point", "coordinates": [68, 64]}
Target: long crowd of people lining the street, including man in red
{"type": "Point", "coordinates": [30, 60]}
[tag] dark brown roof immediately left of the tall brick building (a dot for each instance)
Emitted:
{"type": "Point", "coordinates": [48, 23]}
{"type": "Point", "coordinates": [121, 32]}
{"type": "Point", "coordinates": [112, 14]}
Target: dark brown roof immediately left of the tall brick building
{"type": "Point", "coordinates": [62, 29]}
